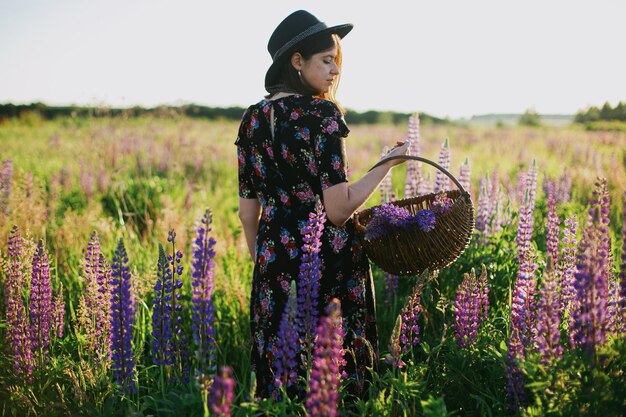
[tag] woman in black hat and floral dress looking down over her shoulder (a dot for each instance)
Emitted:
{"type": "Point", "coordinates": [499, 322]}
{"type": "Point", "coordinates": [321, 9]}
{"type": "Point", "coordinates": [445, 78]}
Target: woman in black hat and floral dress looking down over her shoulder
{"type": "Point", "coordinates": [291, 154]}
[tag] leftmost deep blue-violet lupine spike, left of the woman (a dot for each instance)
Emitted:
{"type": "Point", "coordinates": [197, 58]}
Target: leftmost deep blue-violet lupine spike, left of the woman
{"type": "Point", "coordinates": [122, 320]}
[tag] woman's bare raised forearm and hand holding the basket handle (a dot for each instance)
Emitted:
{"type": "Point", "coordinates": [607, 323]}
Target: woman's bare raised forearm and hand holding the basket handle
{"type": "Point", "coordinates": [342, 200]}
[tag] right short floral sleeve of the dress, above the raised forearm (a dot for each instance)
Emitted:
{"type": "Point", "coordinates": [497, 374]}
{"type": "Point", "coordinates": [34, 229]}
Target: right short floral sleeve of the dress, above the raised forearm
{"type": "Point", "coordinates": [330, 147]}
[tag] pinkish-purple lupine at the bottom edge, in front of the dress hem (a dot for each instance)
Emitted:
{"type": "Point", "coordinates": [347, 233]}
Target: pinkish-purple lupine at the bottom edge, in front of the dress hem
{"type": "Point", "coordinates": [323, 394]}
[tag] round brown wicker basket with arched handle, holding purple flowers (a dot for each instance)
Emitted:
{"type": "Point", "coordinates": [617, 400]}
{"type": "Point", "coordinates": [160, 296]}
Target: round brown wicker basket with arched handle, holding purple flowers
{"type": "Point", "coordinates": [411, 251]}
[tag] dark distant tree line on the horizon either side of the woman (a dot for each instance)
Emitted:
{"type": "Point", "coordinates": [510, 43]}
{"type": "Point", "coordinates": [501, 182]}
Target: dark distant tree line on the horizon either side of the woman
{"type": "Point", "coordinates": [9, 111]}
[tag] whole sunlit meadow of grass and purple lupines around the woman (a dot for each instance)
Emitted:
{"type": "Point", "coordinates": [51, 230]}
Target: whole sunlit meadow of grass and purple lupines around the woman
{"type": "Point", "coordinates": [125, 276]}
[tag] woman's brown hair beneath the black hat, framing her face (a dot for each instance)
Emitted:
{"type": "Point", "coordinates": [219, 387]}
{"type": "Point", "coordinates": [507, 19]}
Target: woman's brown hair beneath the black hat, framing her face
{"type": "Point", "coordinates": [290, 78]}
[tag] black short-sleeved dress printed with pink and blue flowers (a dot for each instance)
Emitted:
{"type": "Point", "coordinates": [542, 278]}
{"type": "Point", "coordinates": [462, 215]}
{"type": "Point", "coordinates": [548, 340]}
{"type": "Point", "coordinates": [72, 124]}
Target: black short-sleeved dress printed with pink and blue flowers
{"type": "Point", "coordinates": [287, 173]}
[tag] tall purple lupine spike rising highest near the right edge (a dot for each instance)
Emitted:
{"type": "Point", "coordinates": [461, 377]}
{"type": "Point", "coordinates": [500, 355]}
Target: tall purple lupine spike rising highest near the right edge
{"type": "Point", "coordinates": [590, 318]}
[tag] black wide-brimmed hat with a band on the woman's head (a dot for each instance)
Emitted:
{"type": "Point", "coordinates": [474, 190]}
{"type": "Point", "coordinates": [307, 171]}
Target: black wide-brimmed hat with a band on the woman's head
{"type": "Point", "coordinates": [294, 29]}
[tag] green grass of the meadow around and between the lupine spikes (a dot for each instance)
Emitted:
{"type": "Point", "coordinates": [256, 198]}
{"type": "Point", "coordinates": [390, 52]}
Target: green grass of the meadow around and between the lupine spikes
{"type": "Point", "coordinates": [136, 179]}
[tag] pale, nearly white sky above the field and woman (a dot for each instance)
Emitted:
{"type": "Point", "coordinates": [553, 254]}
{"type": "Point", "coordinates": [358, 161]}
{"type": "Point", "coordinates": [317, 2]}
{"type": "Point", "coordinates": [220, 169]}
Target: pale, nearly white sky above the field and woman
{"type": "Point", "coordinates": [445, 58]}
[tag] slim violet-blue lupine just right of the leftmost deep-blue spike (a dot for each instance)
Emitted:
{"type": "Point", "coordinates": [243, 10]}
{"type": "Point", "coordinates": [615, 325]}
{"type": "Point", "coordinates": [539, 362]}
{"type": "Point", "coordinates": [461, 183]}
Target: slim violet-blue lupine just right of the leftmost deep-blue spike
{"type": "Point", "coordinates": [161, 350]}
